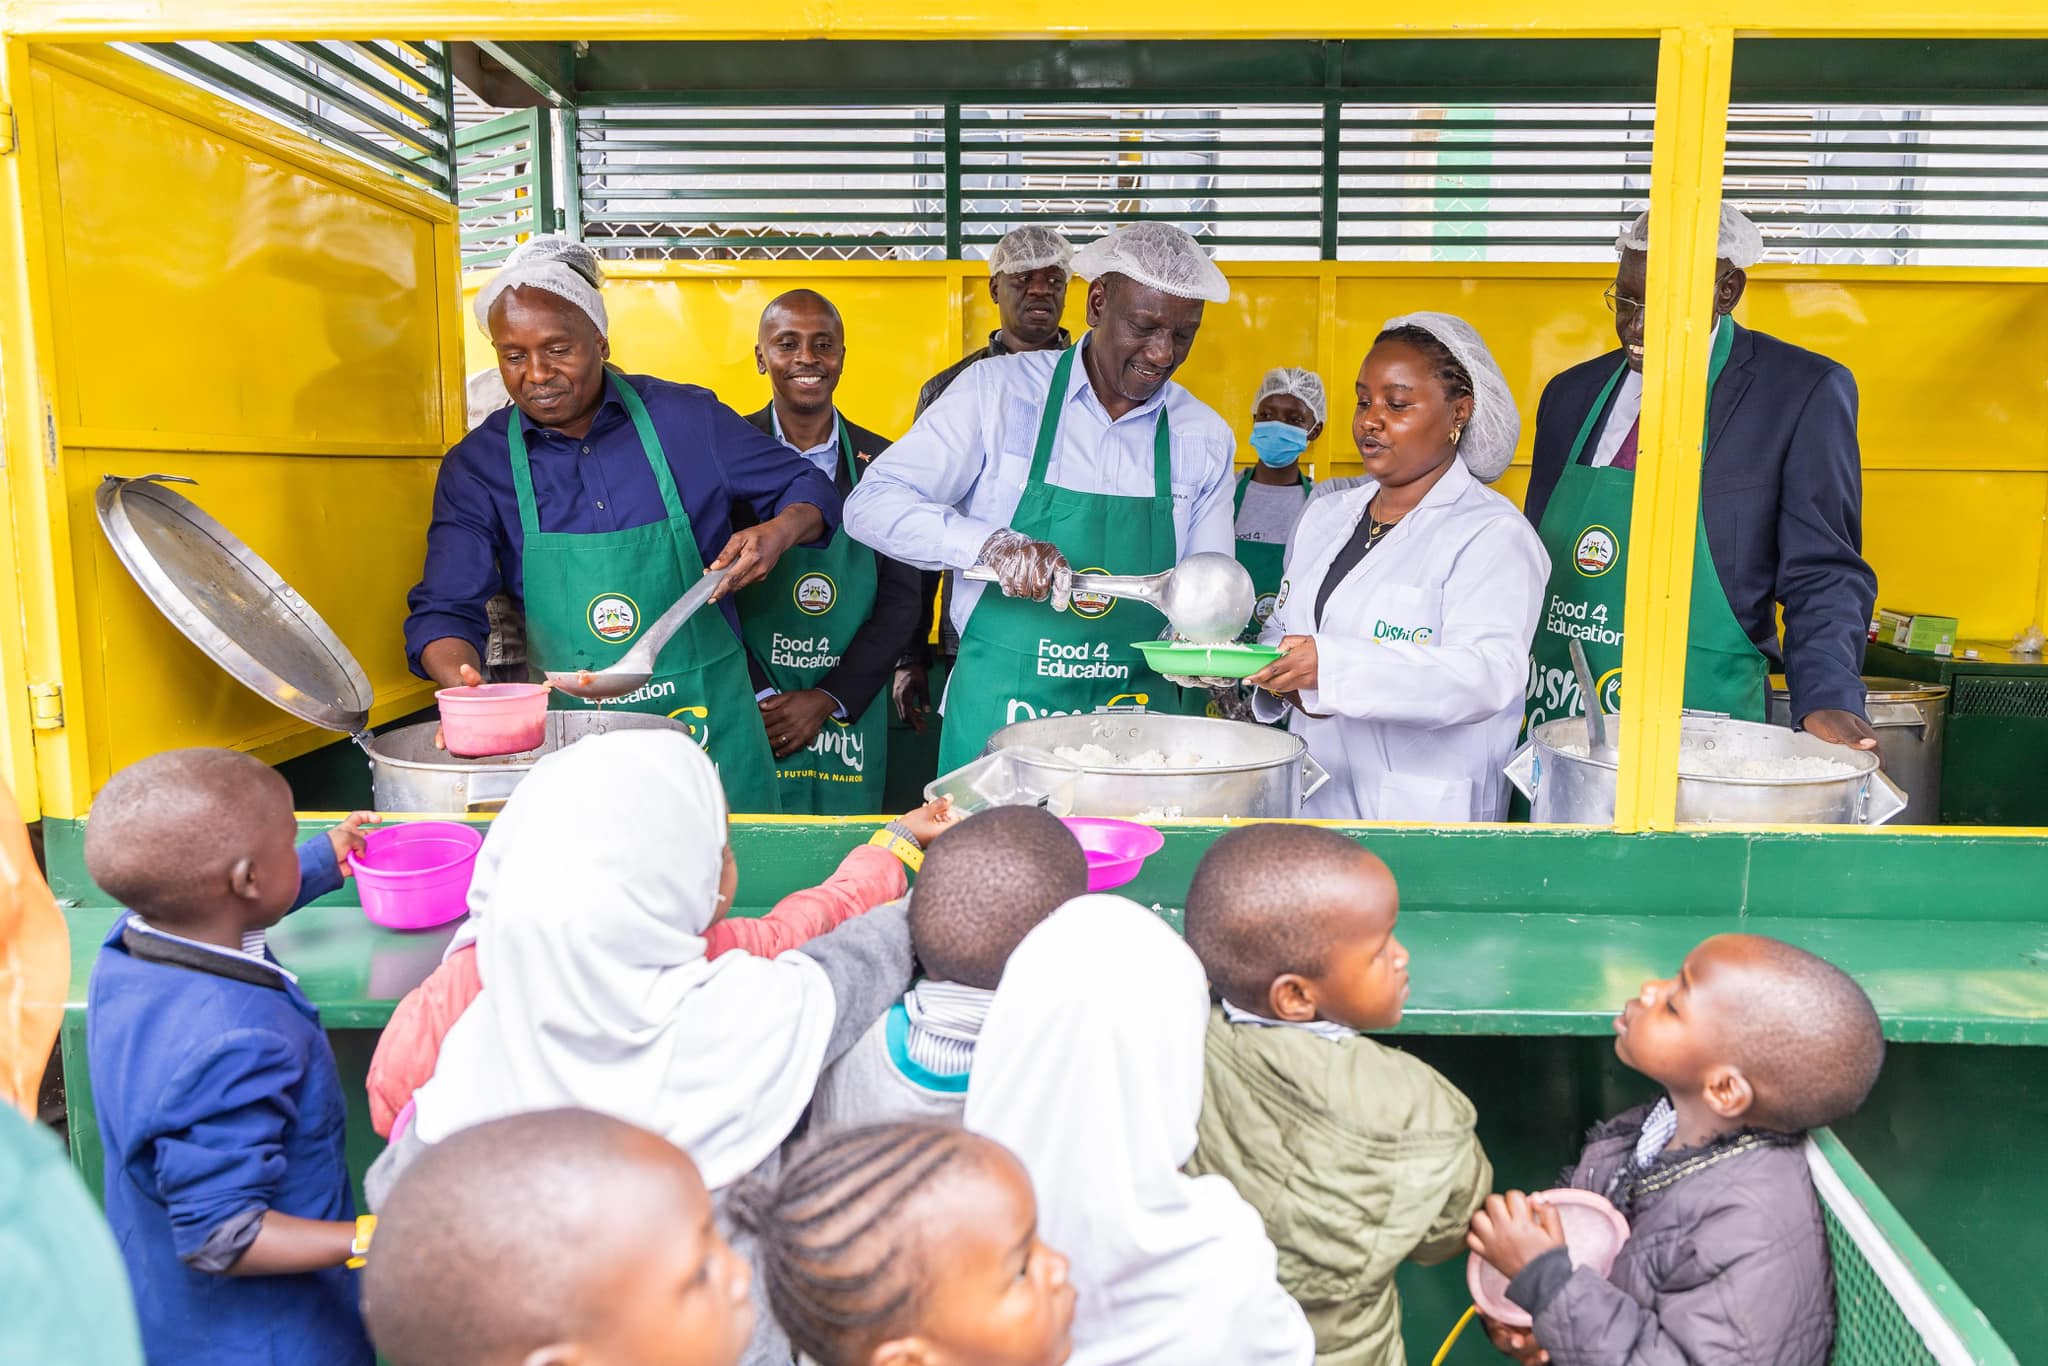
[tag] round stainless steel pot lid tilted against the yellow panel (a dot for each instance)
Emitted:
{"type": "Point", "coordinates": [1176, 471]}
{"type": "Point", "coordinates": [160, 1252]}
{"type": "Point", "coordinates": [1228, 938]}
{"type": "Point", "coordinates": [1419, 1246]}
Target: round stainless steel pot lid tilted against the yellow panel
{"type": "Point", "coordinates": [232, 605]}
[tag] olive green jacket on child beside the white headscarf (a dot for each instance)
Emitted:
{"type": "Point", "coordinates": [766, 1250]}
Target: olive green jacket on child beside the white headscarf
{"type": "Point", "coordinates": [1357, 1156]}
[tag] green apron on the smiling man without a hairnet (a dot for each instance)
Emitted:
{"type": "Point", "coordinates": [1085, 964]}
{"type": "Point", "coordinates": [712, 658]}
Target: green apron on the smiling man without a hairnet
{"type": "Point", "coordinates": [798, 624]}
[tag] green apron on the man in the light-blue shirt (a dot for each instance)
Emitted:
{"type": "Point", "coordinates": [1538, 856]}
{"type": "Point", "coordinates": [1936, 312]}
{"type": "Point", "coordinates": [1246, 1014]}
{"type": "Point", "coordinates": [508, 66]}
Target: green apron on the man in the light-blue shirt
{"type": "Point", "coordinates": [1021, 658]}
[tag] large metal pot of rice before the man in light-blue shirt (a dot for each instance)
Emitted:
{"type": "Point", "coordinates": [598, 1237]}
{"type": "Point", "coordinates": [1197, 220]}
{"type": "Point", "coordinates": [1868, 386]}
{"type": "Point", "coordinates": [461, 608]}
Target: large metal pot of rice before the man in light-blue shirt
{"type": "Point", "coordinates": [1250, 771]}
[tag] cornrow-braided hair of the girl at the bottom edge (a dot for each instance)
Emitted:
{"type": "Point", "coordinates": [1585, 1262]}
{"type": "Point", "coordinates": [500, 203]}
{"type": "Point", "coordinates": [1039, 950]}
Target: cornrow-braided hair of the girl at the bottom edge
{"type": "Point", "coordinates": [835, 1242]}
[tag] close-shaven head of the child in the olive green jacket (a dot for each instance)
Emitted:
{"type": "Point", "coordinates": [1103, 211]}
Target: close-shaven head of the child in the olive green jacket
{"type": "Point", "coordinates": [1279, 898]}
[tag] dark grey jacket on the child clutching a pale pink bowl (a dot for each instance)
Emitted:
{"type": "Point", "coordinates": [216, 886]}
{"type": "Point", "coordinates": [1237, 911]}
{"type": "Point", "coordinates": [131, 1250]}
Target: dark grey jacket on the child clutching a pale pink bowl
{"type": "Point", "coordinates": [1725, 1261]}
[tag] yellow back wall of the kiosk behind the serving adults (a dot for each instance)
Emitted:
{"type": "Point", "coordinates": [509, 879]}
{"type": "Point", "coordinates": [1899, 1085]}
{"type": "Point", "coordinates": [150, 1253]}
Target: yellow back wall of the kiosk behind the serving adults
{"type": "Point", "coordinates": [1953, 370]}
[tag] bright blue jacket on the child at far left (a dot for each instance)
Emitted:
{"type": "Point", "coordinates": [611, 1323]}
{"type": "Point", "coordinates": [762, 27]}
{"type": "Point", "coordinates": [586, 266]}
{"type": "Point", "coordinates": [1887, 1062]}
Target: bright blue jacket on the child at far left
{"type": "Point", "coordinates": [218, 1099]}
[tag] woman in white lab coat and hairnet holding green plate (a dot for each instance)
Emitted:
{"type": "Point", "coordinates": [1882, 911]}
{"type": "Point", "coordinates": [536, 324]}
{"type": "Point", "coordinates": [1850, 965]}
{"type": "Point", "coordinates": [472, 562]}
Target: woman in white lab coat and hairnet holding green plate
{"type": "Point", "coordinates": [1410, 601]}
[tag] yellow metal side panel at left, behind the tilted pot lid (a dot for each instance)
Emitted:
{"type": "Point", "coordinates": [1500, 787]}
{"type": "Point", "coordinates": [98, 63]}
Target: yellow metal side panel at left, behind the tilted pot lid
{"type": "Point", "coordinates": [226, 302]}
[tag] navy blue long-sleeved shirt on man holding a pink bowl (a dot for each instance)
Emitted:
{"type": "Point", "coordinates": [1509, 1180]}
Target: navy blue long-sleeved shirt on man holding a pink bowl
{"type": "Point", "coordinates": [593, 486]}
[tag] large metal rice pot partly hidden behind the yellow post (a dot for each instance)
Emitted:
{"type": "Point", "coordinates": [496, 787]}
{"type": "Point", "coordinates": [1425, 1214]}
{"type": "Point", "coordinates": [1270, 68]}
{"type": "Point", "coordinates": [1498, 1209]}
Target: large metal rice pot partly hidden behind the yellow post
{"type": "Point", "coordinates": [1566, 785]}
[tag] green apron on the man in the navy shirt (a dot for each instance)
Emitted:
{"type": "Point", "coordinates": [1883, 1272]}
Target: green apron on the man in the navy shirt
{"type": "Point", "coordinates": [591, 595]}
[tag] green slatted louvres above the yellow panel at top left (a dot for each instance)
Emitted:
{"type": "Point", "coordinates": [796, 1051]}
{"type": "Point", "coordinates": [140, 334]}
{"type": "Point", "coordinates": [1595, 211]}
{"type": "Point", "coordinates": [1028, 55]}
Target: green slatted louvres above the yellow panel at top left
{"type": "Point", "coordinates": [388, 101]}
